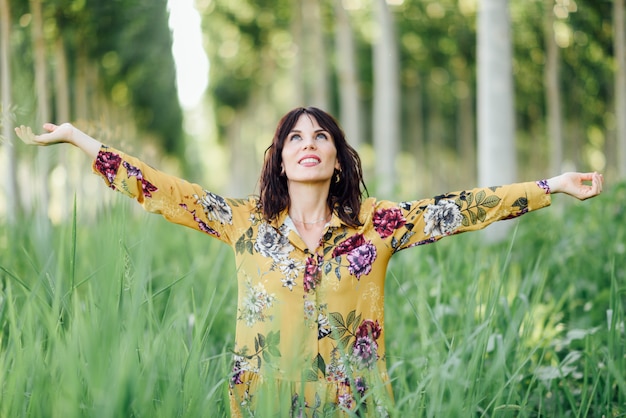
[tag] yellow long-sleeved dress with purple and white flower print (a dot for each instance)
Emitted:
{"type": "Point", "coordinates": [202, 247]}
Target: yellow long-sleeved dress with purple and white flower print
{"type": "Point", "coordinates": [310, 334]}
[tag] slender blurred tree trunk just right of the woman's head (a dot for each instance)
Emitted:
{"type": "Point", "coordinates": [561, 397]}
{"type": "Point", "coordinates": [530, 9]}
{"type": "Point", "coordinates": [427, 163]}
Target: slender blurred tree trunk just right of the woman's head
{"type": "Point", "coordinates": [349, 110]}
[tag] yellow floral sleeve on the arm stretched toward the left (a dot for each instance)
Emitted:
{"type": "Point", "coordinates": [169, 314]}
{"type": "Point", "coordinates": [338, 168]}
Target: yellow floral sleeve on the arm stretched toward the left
{"type": "Point", "coordinates": [176, 199]}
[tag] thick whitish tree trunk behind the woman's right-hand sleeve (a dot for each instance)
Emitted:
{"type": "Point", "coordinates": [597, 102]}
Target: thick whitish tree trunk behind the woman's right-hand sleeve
{"type": "Point", "coordinates": [496, 123]}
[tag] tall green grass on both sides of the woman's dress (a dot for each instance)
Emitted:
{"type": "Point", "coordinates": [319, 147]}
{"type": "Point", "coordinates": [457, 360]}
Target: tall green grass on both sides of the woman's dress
{"type": "Point", "coordinates": [132, 316]}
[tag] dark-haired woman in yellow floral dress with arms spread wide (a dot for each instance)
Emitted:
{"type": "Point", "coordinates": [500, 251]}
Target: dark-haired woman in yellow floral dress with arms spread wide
{"type": "Point", "coordinates": [311, 257]}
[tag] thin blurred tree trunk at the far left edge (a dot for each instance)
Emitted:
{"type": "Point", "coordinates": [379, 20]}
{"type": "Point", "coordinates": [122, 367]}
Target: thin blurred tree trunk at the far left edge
{"type": "Point", "coordinates": [11, 193]}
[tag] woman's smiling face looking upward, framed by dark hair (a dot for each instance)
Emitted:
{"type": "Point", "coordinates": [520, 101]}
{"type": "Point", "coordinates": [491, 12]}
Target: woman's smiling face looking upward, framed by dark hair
{"type": "Point", "coordinates": [309, 154]}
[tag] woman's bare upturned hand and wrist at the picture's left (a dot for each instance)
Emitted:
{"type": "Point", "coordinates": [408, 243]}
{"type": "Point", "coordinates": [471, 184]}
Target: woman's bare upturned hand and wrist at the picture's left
{"type": "Point", "coordinates": [56, 134]}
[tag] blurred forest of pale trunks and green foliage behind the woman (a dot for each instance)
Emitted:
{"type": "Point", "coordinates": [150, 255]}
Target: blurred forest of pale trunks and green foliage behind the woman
{"type": "Point", "coordinates": [435, 95]}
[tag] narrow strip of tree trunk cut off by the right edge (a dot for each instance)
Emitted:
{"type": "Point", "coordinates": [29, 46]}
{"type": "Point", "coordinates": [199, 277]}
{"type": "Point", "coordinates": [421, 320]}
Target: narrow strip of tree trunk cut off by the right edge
{"type": "Point", "coordinates": [620, 83]}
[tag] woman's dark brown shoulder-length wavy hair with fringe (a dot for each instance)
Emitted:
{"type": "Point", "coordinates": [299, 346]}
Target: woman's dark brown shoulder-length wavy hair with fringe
{"type": "Point", "coordinates": [344, 195]}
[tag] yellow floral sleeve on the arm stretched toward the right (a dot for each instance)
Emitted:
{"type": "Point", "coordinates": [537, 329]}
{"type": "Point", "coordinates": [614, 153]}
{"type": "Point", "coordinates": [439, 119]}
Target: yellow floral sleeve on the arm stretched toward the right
{"type": "Point", "coordinates": [419, 222]}
